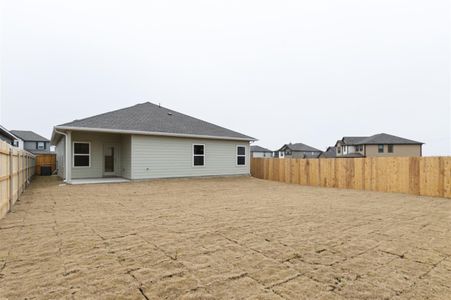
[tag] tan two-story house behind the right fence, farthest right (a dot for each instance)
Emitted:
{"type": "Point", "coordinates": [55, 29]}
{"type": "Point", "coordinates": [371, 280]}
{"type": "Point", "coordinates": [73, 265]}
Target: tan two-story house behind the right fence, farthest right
{"type": "Point", "coordinates": [377, 145]}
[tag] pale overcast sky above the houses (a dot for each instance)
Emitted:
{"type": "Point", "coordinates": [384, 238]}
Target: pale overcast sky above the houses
{"type": "Point", "coordinates": [281, 71]}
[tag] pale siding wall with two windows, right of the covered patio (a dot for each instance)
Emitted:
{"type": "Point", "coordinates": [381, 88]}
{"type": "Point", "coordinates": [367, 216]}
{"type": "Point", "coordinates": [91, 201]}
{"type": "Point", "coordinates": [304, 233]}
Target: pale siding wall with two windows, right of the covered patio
{"type": "Point", "coordinates": [164, 157]}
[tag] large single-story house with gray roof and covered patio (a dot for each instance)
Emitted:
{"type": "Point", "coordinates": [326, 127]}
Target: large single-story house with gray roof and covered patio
{"type": "Point", "coordinates": [148, 141]}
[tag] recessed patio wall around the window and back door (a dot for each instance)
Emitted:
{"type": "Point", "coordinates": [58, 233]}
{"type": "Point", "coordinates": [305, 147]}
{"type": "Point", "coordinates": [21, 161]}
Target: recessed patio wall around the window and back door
{"type": "Point", "coordinates": [97, 140]}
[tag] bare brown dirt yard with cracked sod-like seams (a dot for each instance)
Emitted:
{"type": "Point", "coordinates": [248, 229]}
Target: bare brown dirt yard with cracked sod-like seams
{"type": "Point", "coordinates": [223, 238]}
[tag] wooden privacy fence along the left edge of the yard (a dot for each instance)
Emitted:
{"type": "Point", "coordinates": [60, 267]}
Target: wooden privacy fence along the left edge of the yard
{"type": "Point", "coordinates": [16, 170]}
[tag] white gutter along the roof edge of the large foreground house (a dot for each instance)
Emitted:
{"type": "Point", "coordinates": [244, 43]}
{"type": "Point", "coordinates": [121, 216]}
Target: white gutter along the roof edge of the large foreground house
{"type": "Point", "coordinates": [155, 133]}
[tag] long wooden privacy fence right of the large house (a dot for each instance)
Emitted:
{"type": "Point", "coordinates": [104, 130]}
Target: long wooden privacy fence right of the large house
{"type": "Point", "coordinates": [426, 176]}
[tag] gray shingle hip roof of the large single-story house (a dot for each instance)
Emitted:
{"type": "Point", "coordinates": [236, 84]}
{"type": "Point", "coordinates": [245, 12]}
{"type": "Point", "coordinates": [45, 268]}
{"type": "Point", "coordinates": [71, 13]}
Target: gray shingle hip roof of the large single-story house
{"type": "Point", "coordinates": [149, 117]}
